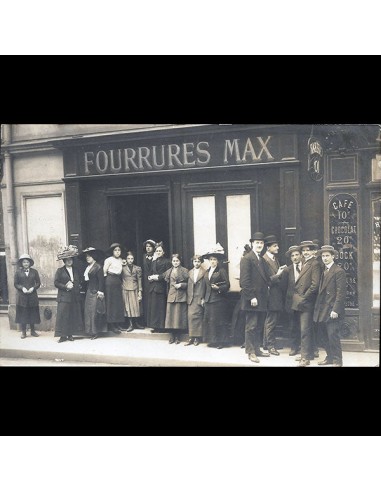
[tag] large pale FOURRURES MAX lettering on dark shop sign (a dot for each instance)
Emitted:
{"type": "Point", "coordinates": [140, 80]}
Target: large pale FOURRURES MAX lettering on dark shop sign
{"type": "Point", "coordinates": [184, 155]}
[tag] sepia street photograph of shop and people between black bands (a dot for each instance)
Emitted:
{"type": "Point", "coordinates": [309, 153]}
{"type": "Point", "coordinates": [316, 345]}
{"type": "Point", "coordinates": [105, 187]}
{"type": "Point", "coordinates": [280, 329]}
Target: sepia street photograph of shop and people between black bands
{"type": "Point", "coordinates": [198, 245]}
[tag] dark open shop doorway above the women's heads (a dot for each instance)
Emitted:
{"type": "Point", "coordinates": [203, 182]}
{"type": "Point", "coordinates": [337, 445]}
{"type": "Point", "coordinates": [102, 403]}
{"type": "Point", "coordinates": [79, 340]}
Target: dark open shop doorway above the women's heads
{"type": "Point", "coordinates": [135, 218]}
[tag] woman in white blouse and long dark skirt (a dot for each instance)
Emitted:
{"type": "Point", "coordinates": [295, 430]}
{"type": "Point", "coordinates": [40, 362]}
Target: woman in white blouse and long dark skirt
{"type": "Point", "coordinates": [112, 270]}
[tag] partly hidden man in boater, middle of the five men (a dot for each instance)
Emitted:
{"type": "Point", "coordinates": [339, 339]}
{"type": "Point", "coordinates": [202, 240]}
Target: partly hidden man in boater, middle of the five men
{"type": "Point", "coordinates": [289, 277]}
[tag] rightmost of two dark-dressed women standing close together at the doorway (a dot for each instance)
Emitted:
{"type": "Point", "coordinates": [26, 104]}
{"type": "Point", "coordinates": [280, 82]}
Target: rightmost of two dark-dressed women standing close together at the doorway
{"type": "Point", "coordinates": [157, 292]}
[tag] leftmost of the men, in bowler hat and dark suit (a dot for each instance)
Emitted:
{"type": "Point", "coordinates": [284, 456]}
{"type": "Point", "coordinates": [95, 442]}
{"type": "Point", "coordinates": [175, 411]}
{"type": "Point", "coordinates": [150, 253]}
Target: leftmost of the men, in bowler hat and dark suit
{"type": "Point", "coordinates": [255, 285]}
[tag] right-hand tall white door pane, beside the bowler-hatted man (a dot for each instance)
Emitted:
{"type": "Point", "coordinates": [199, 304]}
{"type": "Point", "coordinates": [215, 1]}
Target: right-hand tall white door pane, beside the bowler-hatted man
{"type": "Point", "coordinates": [239, 233]}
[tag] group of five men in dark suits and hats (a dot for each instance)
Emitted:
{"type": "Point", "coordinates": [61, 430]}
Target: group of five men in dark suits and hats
{"type": "Point", "coordinates": [313, 289]}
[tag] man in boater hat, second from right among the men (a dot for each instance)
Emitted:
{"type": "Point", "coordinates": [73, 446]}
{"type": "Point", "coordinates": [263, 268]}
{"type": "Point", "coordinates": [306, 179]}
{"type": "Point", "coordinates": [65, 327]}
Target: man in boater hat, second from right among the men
{"type": "Point", "coordinates": [303, 302]}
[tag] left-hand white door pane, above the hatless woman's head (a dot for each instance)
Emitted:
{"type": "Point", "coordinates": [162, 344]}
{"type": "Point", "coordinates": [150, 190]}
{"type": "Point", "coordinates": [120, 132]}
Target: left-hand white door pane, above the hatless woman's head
{"type": "Point", "coordinates": [204, 223]}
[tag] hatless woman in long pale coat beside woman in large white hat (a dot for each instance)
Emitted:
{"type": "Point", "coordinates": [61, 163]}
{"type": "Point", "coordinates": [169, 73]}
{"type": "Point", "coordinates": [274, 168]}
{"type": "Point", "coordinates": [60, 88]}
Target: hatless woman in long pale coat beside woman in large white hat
{"type": "Point", "coordinates": [195, 300]}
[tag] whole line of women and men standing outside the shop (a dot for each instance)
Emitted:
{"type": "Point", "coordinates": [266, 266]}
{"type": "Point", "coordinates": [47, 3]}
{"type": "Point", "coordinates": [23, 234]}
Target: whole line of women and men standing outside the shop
{"type": "Point", "coordinates": [169, 298]}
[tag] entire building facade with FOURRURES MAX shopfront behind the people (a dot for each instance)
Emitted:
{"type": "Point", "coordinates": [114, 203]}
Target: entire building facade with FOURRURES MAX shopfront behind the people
{"type": "Point", "coordinates": [192, 186]}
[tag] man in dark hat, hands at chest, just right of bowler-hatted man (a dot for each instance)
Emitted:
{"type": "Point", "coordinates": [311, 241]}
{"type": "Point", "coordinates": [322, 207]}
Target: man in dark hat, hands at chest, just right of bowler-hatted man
{"type": "Point", "coordinates": [275, 302]}
